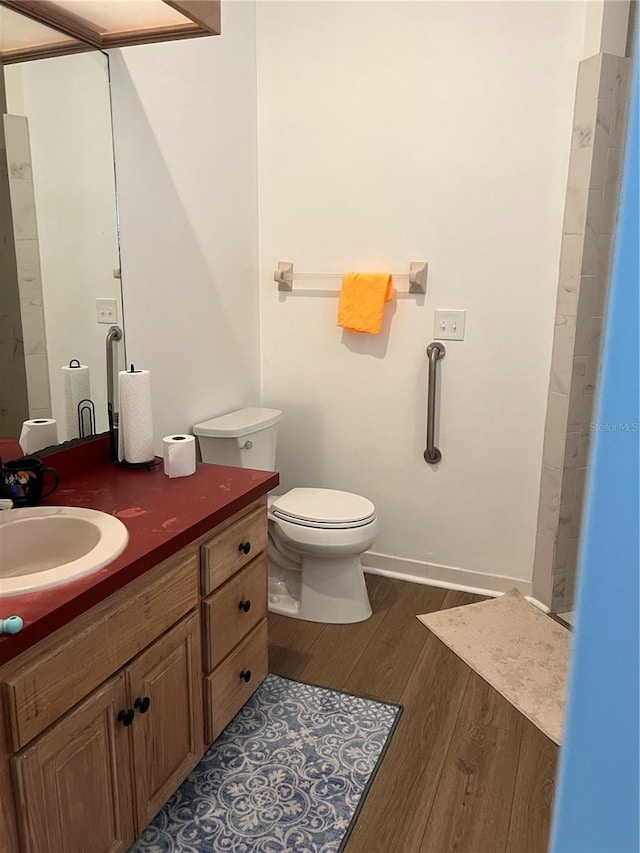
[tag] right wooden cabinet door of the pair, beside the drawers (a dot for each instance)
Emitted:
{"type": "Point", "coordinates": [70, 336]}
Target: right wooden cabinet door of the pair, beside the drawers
{"type": "Point", "coordinates": [165, 689]}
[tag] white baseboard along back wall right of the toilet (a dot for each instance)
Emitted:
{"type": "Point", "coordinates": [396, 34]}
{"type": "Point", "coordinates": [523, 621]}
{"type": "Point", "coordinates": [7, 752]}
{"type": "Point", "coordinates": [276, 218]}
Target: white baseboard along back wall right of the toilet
{"type": "Point", "coordinates": [445, 577]}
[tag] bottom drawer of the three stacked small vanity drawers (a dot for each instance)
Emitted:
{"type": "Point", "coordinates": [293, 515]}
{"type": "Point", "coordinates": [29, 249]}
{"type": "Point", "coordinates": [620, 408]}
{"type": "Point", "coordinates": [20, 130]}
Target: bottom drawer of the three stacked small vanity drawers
{"type": "Point", "coordinates": [225, 690]}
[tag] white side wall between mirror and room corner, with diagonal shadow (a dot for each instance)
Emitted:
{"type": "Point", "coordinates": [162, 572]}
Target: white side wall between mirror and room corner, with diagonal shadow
{"type": "Point", "coordinates": [185, 138]}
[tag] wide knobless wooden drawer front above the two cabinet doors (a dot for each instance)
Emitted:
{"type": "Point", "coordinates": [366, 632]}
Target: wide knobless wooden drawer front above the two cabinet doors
{"type": "Point", "coordinates": [66, 667]}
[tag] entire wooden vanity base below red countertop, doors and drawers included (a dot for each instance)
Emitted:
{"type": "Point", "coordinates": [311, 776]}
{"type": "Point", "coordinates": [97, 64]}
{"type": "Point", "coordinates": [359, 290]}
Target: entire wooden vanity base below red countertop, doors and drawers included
{"type": "Point", "coordinates": [102, 721]}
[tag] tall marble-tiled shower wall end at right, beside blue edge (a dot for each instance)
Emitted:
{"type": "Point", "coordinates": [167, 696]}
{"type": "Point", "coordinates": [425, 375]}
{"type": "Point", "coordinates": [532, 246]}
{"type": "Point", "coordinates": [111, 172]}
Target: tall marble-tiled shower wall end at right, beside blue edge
{"type": "Point", "coordinates": [590, 209]}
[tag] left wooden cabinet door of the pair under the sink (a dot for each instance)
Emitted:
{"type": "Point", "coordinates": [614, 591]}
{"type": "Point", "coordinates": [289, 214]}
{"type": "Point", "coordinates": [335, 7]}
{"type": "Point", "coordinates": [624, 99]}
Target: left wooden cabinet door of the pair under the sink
{"type": "Point", "coordinates": [74, 782]}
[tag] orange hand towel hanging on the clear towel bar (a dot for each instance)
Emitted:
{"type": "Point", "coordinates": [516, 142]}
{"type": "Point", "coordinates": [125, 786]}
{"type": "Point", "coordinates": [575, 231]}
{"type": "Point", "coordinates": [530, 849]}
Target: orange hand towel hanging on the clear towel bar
{"type": "Point", "coordinates": [362, 299]}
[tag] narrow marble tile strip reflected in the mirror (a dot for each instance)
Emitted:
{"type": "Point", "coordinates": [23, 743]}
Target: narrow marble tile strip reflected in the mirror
{"type": "Point", "coordinates": [28, 265]}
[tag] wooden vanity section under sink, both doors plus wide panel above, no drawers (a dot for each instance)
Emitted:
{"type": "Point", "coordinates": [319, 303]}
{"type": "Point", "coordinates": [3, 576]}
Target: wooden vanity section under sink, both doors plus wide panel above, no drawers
{"type": "Point", "coordinates": [103, 720]}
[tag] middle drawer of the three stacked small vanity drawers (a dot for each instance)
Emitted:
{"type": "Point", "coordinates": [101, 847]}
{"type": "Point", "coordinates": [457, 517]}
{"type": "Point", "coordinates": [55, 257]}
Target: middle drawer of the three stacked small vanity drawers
{"type": "Point", "coordinates": [233, 610]}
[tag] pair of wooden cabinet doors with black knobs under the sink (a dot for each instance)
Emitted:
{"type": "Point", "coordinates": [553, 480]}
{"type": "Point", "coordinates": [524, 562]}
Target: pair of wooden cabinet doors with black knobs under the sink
{"type": "Point", "coordinates": [97, 777]}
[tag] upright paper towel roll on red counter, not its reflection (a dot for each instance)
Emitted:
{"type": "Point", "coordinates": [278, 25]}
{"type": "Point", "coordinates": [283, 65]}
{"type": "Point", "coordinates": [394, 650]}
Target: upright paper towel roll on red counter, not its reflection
{"type": "Point", "coordinates": [135, 428]}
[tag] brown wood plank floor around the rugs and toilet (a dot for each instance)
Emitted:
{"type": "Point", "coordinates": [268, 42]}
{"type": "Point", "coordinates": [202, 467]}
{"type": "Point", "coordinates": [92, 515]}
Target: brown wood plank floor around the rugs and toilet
{"type": "Point", "coordinates": [465, 771]}
